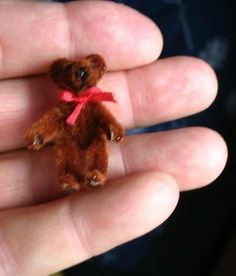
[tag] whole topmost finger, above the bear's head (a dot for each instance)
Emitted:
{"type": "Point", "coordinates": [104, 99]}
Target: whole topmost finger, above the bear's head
{"type": "Point", "coordinates": [42, 32]}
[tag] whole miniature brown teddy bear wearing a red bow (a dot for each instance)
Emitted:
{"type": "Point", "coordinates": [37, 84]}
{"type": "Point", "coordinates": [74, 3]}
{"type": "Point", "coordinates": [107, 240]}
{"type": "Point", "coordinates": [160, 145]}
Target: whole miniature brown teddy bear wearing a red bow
{"type": "Point", "coordinates": [79, 125]}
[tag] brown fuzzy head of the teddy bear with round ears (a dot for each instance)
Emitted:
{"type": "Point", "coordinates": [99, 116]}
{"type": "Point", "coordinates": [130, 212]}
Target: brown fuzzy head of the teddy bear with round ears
{"type": "Point", "coordinates": [77, 76]}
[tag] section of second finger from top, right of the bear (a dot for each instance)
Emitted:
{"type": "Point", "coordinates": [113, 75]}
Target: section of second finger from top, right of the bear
{"type": "Point", "coordinates": [168, 89]}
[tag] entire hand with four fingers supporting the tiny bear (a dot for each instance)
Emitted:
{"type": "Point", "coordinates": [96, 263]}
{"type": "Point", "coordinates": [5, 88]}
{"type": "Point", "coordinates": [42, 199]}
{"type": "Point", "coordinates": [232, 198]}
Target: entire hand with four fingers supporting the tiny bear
{"type": "Point", "coordinates": [39, 239]}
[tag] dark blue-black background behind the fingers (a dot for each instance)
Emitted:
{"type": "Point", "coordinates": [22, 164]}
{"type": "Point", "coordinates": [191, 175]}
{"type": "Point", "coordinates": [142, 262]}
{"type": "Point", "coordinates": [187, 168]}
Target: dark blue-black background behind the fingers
{"type": "Point", "coordinates": [199, 237]}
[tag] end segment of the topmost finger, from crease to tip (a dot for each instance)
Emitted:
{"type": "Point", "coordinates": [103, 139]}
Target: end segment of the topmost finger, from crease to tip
{"type": "Point", "coordinates": [124, 36]}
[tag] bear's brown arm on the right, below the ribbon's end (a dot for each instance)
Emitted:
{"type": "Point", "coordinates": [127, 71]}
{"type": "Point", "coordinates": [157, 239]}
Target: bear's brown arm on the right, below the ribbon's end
{"type": "Point", "coordinates": [109, 124]}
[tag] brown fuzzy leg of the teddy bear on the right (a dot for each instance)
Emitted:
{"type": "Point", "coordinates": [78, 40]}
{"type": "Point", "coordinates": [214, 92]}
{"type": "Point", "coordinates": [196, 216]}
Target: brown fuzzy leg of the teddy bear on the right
{"type": "Point", "coordinates": [98, 162]}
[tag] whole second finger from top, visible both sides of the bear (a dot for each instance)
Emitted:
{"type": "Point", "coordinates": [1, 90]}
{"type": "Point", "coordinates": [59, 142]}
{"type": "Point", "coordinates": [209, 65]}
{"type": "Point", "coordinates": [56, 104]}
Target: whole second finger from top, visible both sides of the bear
{"type": "Point", "coordinates": [159, 92]}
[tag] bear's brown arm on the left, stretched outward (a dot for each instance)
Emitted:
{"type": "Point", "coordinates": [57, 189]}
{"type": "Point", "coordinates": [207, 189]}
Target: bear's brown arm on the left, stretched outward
{"type": "Point", "coordinates": [44, 130]}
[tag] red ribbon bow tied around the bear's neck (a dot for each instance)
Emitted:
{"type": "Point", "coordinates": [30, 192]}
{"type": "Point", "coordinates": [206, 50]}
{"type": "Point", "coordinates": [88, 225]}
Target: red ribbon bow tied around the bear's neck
{"type": "Point", "coordinates": [91, 94]}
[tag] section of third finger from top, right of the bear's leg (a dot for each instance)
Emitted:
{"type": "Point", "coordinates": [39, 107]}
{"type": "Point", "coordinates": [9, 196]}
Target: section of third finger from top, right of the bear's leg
{"type": "Point", "coordinates": [193, 156]}
